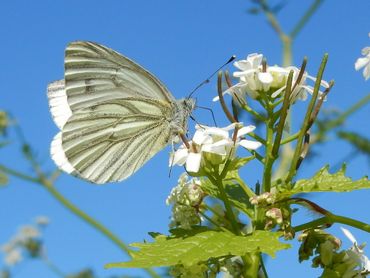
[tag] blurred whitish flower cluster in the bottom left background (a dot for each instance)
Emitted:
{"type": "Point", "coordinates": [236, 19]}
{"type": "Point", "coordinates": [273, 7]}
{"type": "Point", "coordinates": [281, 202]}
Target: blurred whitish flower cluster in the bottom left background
{"type": "Point", "coordinates": [26, 239]}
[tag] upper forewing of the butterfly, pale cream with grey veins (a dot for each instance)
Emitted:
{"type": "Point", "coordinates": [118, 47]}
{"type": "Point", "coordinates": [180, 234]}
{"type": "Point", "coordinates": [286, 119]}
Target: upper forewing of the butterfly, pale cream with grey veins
{"type": "Point", "coordinates": [95, 73]}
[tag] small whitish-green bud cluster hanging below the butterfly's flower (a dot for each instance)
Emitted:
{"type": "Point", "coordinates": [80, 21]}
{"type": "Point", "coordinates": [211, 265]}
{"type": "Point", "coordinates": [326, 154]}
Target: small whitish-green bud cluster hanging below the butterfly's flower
{"type": "Point", "coordinates": [186, 198]}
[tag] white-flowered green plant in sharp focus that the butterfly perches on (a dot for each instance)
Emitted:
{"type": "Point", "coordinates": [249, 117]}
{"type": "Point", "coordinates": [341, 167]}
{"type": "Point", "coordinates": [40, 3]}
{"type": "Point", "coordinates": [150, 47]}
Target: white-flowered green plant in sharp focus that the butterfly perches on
{"type": "Point", "coordinates": [209, 233]}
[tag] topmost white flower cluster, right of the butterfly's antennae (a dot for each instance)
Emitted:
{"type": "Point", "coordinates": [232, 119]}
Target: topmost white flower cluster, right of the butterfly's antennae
{"type": "Point", "coordinates": [256, 79]}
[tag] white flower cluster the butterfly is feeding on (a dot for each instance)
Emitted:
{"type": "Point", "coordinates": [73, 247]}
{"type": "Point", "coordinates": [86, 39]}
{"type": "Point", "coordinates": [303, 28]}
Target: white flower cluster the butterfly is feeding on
{"type": "Point", "coordinates": [212, 140]}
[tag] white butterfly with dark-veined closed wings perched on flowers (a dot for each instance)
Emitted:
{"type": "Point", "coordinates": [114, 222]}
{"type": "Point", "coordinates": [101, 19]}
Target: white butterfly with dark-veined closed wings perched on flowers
{"type": "Point", "coordinates": [113, 114]}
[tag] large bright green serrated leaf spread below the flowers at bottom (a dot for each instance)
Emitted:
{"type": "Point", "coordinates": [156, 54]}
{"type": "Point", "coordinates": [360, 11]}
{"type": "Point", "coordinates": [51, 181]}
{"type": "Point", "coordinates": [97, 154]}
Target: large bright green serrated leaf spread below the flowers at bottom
{"type": "Point", "coordinates": [201, 246]}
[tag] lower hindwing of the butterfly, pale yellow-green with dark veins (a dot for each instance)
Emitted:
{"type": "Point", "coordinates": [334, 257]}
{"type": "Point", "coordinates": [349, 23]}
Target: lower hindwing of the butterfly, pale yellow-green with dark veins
{"type": "Point", "coordinates": [110, 141]}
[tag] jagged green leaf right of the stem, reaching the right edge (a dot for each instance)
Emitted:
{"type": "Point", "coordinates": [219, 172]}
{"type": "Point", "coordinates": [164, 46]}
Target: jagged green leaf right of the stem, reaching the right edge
{"type": "Point", "coordinates": [323, 181]}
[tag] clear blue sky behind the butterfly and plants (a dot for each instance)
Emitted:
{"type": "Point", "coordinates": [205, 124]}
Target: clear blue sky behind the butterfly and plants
{"type": "Point", "coordinates": [181, 42]}
